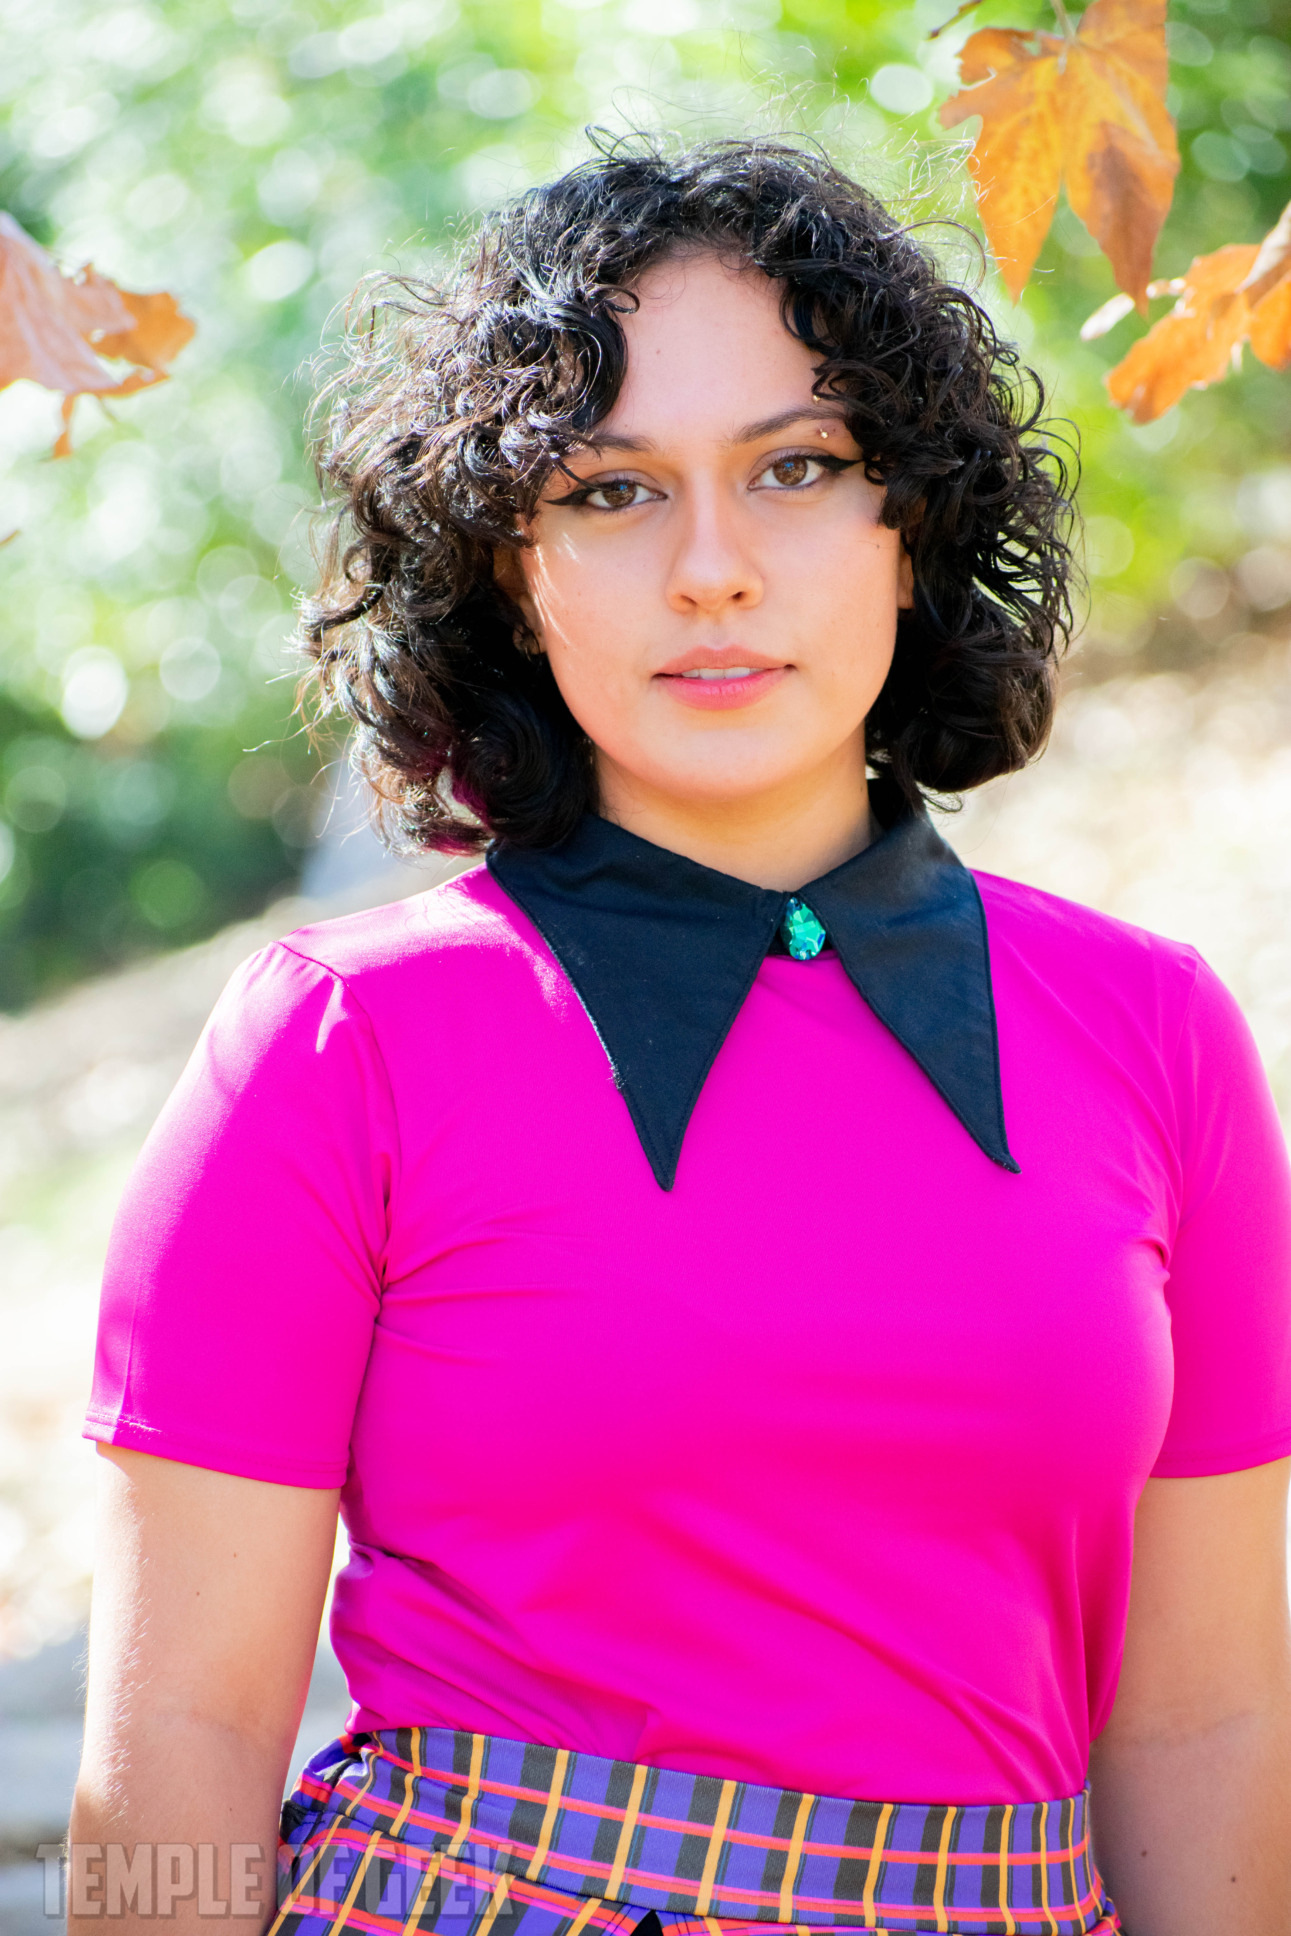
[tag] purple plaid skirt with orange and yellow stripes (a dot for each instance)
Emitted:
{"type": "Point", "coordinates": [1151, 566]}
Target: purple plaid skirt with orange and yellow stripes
{"type": "Point", "coordinates": [429, 1830]}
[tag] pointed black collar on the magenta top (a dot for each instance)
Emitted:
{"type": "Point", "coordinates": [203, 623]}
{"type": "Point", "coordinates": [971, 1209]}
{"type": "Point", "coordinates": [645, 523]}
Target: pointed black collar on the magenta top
{"type": "Point", "coordinates": [663, 953]}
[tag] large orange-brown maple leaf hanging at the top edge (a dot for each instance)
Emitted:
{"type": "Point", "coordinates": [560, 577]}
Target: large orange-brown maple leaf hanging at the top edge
{"type": "Point", "coordinates": [1083, 109]}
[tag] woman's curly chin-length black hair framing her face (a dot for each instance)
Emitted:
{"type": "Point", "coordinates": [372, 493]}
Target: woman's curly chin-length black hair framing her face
{"type": "Point", "coordinates": [458, 402]}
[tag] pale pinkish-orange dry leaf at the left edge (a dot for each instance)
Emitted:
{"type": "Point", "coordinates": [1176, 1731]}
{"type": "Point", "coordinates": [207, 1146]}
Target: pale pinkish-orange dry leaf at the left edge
{"type": "Point", "coordinates": [57, 328]}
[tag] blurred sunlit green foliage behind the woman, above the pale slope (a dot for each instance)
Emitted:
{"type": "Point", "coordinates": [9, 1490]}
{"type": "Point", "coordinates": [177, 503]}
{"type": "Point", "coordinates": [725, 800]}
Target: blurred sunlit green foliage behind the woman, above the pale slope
{"type": "Point", "coordinates": [258, 158]}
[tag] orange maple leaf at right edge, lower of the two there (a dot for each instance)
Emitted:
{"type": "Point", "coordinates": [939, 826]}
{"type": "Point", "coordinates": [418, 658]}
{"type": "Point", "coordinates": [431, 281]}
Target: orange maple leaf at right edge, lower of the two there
{"type": "Point", "coordinates": [1236, 295]}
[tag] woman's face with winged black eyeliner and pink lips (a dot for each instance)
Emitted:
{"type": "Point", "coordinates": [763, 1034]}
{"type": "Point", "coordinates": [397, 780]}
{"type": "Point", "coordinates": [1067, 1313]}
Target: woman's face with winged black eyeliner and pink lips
{"type": "Point", "coordinates": [713, 586]}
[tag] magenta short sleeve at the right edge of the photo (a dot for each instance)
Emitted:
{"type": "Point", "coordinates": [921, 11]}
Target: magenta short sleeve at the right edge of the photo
{"type": "Point", "coordinates": [1230, 1277]}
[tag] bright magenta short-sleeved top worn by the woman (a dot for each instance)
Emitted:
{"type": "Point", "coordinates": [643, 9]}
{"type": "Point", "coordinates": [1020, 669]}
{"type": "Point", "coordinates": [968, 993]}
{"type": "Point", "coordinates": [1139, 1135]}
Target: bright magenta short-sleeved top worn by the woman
{"type": "Point", "coordinates": [818, 1470]}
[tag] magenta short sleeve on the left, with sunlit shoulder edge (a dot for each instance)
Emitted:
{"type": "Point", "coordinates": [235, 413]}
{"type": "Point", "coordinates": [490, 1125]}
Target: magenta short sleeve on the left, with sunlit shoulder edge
{"type": "Point", "coordinates": [245, 1265]}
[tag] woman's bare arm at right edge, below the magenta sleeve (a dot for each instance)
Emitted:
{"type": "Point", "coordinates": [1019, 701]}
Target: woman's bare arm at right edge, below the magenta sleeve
{"type": "Point", "coordinates": [1193, 1772]}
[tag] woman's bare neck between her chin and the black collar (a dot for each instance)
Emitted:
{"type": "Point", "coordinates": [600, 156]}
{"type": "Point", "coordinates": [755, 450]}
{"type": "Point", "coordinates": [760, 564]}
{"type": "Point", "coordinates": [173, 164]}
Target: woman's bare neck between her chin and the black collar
{"type": "Point", "coordinates": [775, 839]}
